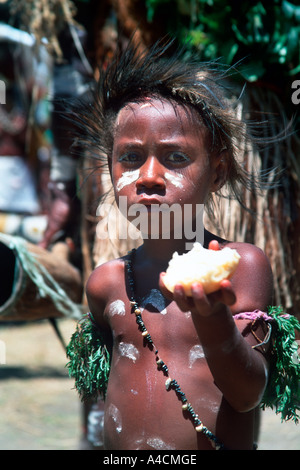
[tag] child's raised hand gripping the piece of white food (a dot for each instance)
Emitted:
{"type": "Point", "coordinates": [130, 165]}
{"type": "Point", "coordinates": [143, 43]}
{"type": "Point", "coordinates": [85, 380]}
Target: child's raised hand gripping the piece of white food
{"type": "Point", "coordinates": [199, 302]}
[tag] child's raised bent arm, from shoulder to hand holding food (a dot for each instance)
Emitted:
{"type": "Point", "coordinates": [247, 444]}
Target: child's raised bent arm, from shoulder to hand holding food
{"type": "Point", "coordinates": [238, 370]}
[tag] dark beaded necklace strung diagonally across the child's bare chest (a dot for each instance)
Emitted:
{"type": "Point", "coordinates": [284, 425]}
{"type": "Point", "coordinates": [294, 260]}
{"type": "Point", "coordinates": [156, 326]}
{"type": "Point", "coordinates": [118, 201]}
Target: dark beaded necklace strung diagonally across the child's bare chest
{"type": "Point", "coordinates": [171, 384]}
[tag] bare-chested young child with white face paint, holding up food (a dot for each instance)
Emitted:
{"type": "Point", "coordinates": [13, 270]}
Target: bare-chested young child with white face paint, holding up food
{"type": "Point", "coordinates": [185, 374]}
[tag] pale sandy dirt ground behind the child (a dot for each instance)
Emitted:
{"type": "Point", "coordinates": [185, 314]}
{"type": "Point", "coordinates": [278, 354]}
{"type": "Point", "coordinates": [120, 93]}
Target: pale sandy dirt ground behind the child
{"type": "Point", "coordinates": [40, 410]}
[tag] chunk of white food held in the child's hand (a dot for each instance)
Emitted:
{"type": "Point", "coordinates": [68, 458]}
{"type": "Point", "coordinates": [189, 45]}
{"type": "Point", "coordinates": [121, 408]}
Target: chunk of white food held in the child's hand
{"type": "Point", "coordinates": [209, 267]}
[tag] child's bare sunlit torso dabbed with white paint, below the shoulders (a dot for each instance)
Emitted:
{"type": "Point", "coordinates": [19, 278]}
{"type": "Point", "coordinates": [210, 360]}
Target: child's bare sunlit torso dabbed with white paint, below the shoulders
{"type": "Point", "coordinates": [142, 373]}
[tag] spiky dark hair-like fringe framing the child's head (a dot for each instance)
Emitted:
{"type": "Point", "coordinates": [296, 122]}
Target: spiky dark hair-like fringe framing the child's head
{"type": "Point", "coordinates": [134, 75]}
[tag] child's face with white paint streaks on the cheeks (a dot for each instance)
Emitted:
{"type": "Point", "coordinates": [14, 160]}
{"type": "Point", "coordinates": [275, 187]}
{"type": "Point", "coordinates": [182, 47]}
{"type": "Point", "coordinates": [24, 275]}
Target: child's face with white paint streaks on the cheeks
{"type": "Point", "coordinates": [160, 155]}
